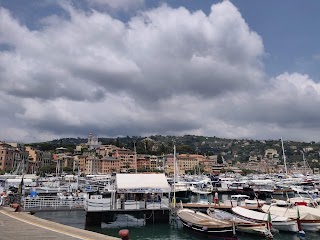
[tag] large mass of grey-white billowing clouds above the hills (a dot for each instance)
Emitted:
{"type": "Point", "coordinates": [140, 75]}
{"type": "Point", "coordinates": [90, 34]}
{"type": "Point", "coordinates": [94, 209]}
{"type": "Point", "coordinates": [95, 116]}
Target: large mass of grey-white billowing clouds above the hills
{"type": "Point", "coordinates": [164, 71]}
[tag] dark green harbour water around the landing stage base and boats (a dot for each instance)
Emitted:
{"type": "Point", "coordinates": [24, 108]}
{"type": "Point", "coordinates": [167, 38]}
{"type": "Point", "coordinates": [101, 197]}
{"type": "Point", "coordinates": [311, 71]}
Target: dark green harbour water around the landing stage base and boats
{"type": "Point", "coordinates": [148, 232]}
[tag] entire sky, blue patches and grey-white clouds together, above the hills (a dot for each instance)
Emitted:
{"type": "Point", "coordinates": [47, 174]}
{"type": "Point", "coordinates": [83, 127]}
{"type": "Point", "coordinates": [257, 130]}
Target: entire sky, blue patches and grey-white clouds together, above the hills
{"type": "Point", "coordinates": [242, 69]}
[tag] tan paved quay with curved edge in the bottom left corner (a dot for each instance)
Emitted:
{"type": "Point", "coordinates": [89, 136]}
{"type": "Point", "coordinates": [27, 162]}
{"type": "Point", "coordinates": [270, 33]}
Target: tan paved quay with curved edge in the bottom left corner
{"type": "Point", "coordinates": [22, 226]}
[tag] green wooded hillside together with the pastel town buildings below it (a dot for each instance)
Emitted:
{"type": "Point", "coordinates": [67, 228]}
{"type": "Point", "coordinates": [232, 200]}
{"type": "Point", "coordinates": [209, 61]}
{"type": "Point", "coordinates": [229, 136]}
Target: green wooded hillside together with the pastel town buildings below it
{"type": "Point", "coordinates": [196, 154]}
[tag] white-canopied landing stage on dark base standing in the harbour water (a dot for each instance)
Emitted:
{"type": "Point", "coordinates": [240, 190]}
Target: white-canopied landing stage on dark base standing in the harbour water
{"type": "Point", "coordinates": [144, 196]}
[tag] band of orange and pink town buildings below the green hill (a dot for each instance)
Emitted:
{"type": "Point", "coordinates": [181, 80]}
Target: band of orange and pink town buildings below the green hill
{"type": "Point", "coordinates": [94, 158]}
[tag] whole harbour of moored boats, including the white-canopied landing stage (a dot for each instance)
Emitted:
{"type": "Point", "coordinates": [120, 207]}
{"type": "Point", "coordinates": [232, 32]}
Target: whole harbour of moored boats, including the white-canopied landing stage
{"type": "Point", "coordinates": [218, 206]}
